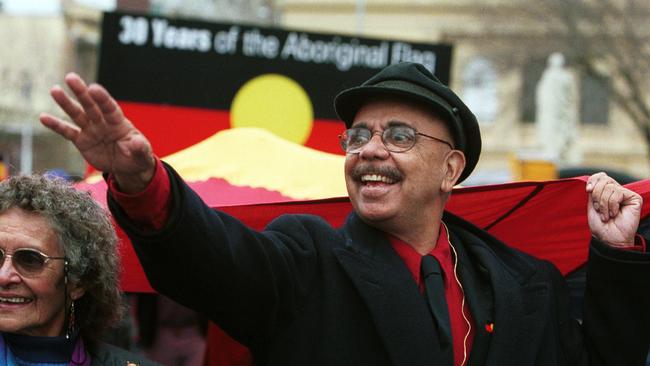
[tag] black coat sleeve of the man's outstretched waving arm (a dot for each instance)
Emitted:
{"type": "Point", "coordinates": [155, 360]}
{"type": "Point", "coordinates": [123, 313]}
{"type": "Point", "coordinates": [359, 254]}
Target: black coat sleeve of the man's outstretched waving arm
{"type": "Point", "coordinates": [245, 281]}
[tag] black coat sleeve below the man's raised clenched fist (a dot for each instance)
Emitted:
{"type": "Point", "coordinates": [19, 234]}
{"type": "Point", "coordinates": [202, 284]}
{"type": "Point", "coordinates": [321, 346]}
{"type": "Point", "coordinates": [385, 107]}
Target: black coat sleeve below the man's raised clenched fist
{"type": "Point", "coordinates": [617, 303]}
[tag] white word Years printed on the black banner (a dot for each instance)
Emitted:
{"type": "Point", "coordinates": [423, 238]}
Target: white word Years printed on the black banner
{"type": "Point", "coordinates": [180, 38]}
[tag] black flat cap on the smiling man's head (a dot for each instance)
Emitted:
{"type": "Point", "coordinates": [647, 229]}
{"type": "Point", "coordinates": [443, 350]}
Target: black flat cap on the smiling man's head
{"type": "Point", "coordinates": [414, 82]}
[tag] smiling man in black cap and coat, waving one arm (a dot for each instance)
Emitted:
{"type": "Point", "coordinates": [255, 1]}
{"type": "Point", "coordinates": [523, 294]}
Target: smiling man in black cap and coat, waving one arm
{"type": "Point", "coordinates": [304, 293]}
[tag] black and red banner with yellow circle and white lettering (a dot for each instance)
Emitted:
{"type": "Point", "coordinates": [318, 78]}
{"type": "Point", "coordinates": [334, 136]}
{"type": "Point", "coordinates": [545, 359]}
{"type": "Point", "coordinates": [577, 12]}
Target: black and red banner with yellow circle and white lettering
{"type": "Point", "coordinates": [181, 81]}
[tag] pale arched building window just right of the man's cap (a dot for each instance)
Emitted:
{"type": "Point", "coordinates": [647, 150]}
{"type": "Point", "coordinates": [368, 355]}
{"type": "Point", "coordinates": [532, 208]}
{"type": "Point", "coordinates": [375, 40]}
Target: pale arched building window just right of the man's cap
{"type": "Point", "coordinates": [480, 89]}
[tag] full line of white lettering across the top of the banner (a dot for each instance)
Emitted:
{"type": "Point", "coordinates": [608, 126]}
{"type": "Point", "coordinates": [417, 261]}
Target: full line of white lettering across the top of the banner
{"type": "Point", "coordinates": [344, 54]}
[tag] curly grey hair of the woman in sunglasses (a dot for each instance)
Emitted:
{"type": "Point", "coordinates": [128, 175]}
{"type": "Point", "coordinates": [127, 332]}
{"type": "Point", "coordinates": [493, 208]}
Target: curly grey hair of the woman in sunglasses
{"type": "Point", "coordinates": [88, 239]}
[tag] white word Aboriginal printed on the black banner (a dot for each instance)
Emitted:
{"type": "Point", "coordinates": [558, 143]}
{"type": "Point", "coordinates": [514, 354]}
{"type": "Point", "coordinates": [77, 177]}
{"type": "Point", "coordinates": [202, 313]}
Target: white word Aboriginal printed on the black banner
{"type": "Point", "coordinates": [344, 55]}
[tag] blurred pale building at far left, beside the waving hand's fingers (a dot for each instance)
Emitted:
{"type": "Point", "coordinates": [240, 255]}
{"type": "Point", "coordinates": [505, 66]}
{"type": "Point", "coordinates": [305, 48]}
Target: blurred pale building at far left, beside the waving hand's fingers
{"type": "Point", "coordinates": [32, 58]}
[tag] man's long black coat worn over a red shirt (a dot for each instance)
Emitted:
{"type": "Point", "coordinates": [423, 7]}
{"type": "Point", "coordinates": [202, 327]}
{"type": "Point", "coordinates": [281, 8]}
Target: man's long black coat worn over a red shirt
{"type": "Point", "coordinates": [304, 293]}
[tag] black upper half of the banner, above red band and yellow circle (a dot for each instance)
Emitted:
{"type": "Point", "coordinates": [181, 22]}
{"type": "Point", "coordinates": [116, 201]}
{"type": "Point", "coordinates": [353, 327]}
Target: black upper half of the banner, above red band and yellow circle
{"type": "Point", "coordinates": [200, 64]}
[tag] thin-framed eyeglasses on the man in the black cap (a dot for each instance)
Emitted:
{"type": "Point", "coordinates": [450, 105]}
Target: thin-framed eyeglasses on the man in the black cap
{"type": "Point", "coordinates": [395, 138]}
